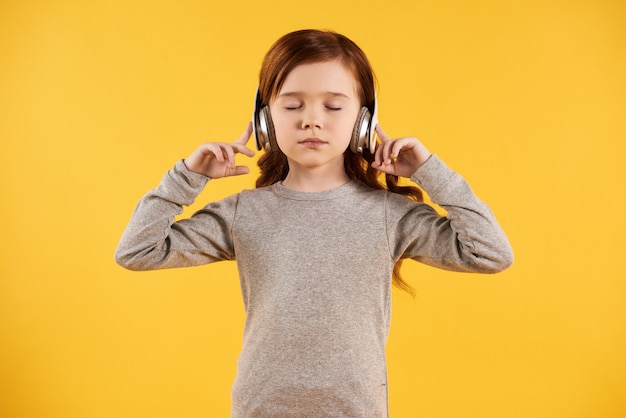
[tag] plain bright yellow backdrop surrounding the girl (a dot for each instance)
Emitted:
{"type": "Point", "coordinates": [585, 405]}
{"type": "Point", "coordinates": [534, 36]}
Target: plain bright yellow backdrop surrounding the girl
{"type": "Point", "coordinates": [99, 98]}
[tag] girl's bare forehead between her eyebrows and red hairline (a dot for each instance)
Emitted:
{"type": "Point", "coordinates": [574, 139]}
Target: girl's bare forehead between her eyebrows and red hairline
{"type": "Point", "coordinates": [320, 77]}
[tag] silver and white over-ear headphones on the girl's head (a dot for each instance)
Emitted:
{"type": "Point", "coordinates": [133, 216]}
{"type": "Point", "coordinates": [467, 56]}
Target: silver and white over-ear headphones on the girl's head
{"type": "Point", "coordinates": [362, 134]}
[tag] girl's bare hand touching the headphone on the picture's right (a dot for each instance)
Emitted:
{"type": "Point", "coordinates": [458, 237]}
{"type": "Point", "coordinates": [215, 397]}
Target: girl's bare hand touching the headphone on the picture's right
{"type": "Point", "coordinates": [400, 156]}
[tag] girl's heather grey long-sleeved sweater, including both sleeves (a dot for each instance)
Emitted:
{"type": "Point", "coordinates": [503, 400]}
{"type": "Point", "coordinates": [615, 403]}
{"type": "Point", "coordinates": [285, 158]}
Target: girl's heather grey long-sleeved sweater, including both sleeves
{"type": "Point", "coordinates": [315, 272]}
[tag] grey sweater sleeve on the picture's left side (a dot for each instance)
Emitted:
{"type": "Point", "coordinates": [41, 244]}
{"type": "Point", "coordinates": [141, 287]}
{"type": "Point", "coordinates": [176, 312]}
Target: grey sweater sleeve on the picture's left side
{"type": "Point", "coordinates": [154, 240]}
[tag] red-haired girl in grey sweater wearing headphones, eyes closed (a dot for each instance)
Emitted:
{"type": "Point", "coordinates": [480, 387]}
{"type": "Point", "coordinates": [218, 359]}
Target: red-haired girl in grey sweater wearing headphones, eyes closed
{"type": "Point", "coordinates": [319, 239]}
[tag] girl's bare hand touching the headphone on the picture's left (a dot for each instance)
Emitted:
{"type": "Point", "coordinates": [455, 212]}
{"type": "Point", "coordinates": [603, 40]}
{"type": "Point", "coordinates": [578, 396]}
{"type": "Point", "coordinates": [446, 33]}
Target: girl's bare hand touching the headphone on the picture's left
{"type": "Point", "coordinates": [217, 159]}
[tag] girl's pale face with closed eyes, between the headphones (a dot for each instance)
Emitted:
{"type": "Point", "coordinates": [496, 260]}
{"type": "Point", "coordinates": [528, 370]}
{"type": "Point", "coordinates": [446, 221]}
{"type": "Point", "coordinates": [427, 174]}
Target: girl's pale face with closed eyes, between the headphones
{"type": "Point", "coordinates": [314, 114]}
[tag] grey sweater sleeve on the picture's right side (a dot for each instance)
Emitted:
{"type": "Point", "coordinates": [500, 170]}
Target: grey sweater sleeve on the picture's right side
{"type": "Point", "coordinates": [467, 239]}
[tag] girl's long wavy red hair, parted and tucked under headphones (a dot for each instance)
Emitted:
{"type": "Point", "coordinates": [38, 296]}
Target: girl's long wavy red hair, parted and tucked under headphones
{"type": "Point", "coordinates": [309, 46]}
